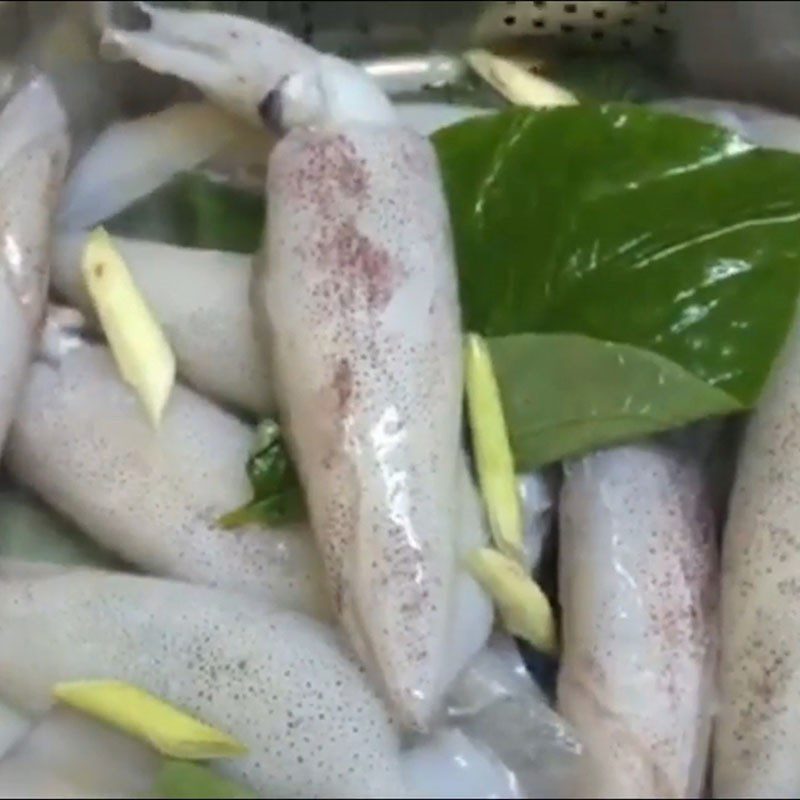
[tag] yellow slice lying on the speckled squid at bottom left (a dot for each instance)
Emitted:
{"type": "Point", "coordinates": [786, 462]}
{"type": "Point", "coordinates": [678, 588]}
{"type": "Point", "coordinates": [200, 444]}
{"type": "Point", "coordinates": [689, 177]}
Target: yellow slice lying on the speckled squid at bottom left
{"type": "Point", "coordinates": [170, 731]}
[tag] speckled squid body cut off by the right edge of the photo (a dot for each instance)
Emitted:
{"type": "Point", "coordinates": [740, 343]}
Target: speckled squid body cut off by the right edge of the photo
{"type": "Point", "coordinates": [758, 730]}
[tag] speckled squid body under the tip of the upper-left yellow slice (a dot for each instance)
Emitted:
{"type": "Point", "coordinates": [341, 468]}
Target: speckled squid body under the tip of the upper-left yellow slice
{"type": "Point", "coordinates": [83, 443]}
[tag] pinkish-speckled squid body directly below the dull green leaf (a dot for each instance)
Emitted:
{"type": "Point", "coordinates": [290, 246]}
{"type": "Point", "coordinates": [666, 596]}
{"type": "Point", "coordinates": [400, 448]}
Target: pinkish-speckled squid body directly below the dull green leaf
{"type": "Point", "coordinates": [637, 590]}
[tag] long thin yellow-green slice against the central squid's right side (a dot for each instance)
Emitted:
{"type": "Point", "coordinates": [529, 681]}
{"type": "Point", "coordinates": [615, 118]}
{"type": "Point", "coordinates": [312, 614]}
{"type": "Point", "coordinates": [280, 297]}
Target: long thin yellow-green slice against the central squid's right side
{"type": "Point", "coordinates": [493, 458]}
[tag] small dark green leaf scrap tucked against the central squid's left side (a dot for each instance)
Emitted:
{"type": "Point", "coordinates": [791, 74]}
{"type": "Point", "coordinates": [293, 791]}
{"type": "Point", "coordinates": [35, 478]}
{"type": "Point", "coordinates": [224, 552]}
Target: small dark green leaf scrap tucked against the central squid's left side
{"type": "Point", "coordinates": [277, 495]}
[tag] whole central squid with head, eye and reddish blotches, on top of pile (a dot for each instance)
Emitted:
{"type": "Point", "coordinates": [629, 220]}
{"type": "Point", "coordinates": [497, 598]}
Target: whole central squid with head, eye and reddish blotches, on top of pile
{"type": "Point", "coordinates": [358, 309]}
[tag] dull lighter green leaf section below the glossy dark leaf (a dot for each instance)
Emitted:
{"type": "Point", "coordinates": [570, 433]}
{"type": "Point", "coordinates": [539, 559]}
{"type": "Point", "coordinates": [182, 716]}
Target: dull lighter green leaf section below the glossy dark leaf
{"type": "Point", "coordinates": [564, 394]}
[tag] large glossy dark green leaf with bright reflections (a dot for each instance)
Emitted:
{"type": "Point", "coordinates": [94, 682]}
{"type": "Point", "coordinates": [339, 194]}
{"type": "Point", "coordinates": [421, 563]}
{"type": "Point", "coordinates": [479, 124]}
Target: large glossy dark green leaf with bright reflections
{"type": "Point", "coordinates": [628, 226]}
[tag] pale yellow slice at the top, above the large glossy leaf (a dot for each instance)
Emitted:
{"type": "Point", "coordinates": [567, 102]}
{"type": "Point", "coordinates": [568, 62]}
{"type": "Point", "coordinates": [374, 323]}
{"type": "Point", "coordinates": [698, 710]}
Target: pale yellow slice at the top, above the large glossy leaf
{"type": "Point", "coordinates": [516, 83]}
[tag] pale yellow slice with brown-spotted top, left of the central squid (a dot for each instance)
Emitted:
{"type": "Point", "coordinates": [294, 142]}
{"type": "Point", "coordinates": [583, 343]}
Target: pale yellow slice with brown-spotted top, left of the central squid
{"type": "Point", "coordinates": [140, 348]}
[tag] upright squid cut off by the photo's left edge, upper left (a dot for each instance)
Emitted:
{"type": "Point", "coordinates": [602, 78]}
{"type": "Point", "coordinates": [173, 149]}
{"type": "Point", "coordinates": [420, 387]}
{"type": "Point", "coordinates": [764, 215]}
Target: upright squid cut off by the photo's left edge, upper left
{"type": "Point", "coordinates": [33, 153]}
